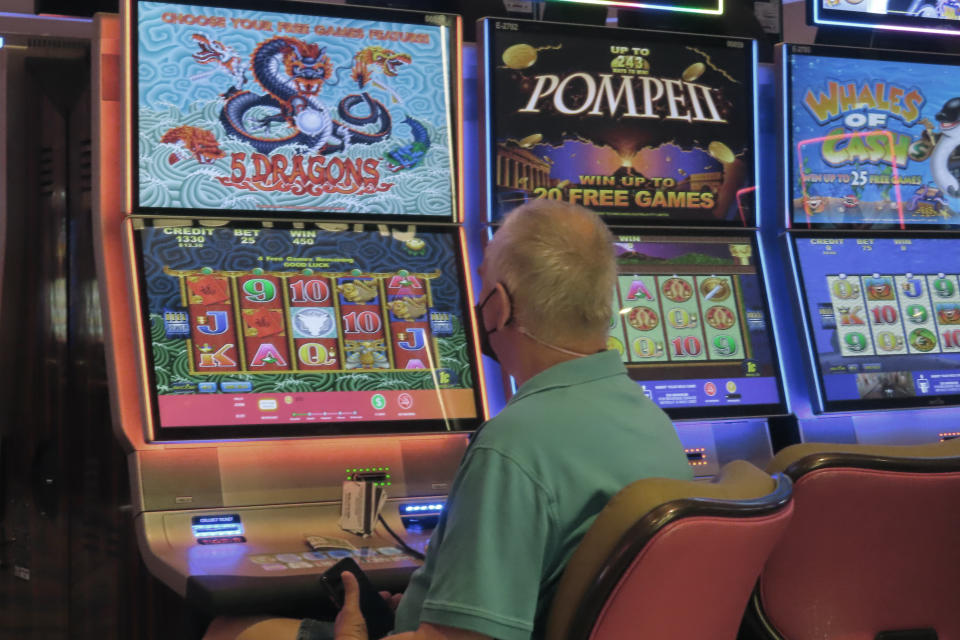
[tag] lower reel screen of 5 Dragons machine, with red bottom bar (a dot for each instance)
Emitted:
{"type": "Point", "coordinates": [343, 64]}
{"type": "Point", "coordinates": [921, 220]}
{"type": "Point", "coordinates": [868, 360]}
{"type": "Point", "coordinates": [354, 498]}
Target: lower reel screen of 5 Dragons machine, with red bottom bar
{"type": "Point", "coordinates": [257, 330]}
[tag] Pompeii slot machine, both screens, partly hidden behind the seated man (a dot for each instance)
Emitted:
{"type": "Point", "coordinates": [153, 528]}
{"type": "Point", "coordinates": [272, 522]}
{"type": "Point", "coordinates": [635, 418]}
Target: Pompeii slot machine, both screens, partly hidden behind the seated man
{"type": "Point", "coordinates": [656, 132]}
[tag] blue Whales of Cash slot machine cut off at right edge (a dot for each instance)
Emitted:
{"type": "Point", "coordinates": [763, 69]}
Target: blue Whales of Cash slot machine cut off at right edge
{"type": "Point", "coordinates": [871, 196]}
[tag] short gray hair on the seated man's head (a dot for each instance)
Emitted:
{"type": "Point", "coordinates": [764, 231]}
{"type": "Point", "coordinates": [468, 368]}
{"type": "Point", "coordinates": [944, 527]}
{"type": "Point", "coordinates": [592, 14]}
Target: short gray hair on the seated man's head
{"type": "Point", "coordinates": [557, 261]}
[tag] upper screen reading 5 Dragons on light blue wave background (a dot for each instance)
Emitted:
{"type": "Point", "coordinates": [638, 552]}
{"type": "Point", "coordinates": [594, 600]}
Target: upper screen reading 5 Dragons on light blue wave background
{"type": "Point", "coordinates": [349, 112]}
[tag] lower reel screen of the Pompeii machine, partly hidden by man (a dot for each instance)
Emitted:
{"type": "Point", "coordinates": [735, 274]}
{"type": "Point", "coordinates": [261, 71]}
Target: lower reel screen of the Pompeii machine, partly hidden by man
{"type": "Point", "coordinates": [691, 322]}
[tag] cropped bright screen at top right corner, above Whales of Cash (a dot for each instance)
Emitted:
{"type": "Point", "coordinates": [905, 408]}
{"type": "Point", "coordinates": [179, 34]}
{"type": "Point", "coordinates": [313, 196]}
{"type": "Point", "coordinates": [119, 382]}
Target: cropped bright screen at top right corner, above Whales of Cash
{"type": "Point", "coordinates": [917, 16]}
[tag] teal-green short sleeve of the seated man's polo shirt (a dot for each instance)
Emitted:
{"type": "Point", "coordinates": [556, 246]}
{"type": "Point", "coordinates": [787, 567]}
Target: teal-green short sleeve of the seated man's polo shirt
{"type": "Point", "coordinates": [490, 561]}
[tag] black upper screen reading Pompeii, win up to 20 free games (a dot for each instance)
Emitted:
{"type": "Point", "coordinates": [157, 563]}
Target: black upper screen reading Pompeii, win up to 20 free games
{"type": "Point", "coordinates": [639, 126]}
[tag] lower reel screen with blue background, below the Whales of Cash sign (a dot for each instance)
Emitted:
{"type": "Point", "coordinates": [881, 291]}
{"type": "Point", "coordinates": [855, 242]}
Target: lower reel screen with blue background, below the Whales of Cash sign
{"type": "Point", "coordinates": [883, 317]}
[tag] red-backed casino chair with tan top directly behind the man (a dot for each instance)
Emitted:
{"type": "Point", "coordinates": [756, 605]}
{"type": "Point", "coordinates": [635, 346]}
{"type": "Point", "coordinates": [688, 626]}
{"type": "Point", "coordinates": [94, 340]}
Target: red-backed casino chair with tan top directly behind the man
{"type": "Point", "coordinates": [672, 559]}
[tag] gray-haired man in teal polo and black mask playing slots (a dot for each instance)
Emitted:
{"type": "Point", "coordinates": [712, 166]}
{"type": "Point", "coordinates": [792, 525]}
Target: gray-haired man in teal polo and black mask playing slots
{"type": "Point", "coordinates": [535, 476]}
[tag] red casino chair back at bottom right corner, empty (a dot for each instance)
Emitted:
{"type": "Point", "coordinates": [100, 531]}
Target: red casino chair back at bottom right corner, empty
{"type": "Point", "coordinates": [873, 549]}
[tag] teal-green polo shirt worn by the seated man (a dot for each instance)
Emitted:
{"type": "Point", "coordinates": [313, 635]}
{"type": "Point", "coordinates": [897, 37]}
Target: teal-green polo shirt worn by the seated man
{"type": "Point", "coordinates": [529, 487]}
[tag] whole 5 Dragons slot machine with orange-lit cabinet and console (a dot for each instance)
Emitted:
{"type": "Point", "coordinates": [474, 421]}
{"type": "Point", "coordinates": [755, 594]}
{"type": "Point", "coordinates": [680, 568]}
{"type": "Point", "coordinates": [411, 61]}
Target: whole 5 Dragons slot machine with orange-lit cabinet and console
{"type": "Point", "coordinates": [282, 261]}
